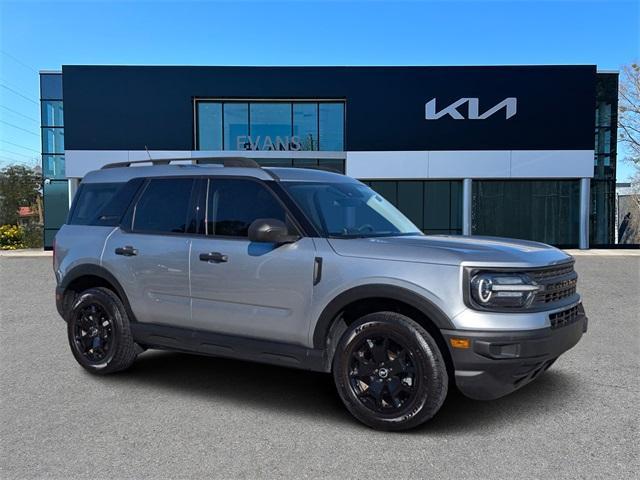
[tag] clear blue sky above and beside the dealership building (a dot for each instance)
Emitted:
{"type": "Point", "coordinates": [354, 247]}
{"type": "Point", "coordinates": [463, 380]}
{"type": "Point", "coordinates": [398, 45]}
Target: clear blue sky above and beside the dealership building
{"type": "Point", "coordinates": [45, 35]}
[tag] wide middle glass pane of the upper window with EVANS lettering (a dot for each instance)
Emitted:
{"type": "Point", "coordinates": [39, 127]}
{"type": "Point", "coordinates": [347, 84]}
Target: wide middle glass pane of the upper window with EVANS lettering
{"type": "Point", "coordinates": [270, 127]}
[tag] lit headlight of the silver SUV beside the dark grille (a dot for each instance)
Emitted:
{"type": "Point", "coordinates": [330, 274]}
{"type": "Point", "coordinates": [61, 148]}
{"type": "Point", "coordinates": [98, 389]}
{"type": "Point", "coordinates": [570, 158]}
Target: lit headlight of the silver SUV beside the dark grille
{"type": "Point", "coordinates": [503, 290]}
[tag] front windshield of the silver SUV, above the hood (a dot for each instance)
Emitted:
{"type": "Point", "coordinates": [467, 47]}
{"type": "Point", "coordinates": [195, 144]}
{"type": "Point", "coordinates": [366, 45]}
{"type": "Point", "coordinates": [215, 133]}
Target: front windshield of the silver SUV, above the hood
{"type": "Point", "coordinates": [349, 210]}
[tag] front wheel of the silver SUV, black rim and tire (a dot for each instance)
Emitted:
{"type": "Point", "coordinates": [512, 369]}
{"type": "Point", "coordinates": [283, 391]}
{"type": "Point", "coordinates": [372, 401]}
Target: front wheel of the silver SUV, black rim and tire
{"type": "Point", "coordinates": [398, 395]}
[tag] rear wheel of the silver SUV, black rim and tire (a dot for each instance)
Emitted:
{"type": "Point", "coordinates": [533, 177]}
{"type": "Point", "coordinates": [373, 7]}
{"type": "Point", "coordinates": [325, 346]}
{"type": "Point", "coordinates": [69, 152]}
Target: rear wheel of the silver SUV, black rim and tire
{"type": "Point", "coordinates": [99, 333]}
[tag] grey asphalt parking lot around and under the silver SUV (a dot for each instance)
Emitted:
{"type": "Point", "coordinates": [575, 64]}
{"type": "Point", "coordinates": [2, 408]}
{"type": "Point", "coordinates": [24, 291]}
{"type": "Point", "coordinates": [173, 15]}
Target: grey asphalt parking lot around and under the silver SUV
{"type": "Point", "coordinates": [181, 416]}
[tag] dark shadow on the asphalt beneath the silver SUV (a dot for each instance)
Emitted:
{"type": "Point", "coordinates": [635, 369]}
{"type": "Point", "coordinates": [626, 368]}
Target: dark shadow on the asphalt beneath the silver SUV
{"type": "Point", "coordinates": [313, 395]}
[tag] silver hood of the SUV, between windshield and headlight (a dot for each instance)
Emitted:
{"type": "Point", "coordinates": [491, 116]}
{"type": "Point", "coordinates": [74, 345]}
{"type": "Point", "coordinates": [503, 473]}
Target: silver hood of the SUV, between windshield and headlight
{"type": "Point", "coordinates": [452, 250]}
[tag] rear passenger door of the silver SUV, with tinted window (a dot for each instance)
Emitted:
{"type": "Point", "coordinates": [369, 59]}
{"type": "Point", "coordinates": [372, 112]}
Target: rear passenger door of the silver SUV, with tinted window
{"type": "Point", "coordinates": [149, 254]}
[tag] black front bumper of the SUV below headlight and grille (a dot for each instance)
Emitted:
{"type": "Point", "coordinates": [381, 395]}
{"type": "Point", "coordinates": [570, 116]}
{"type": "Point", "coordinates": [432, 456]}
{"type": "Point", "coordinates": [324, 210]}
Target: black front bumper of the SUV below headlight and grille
{"type": "Point", "coordinates": [497, 363]}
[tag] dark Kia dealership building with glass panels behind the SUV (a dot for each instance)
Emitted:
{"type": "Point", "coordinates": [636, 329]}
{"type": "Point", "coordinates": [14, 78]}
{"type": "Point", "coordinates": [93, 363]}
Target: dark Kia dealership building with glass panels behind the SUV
{"type": "Point", "coordinates": [517, 151]}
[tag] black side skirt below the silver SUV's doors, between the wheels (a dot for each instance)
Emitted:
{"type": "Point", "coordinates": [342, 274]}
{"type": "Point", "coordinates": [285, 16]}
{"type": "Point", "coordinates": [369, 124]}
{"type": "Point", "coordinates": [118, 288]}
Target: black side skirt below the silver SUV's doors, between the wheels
{"type": "Point", "coordinates": [229, 346]}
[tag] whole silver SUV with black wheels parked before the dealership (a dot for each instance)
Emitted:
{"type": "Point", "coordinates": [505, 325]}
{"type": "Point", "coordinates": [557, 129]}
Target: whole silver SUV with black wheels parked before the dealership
{"type": "Point", "coordinates": [306, 269]}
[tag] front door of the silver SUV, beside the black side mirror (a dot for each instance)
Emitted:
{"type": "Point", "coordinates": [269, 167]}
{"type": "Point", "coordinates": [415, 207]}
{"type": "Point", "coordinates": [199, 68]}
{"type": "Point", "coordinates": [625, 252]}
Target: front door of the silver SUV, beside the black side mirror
{"type": "Point", "coordinates": [238, 287]}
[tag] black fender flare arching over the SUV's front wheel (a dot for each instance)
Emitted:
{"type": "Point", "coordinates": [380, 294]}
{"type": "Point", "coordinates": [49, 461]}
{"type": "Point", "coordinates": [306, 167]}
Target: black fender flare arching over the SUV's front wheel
{"type": "Point", "coordinates": [376, 291]}
